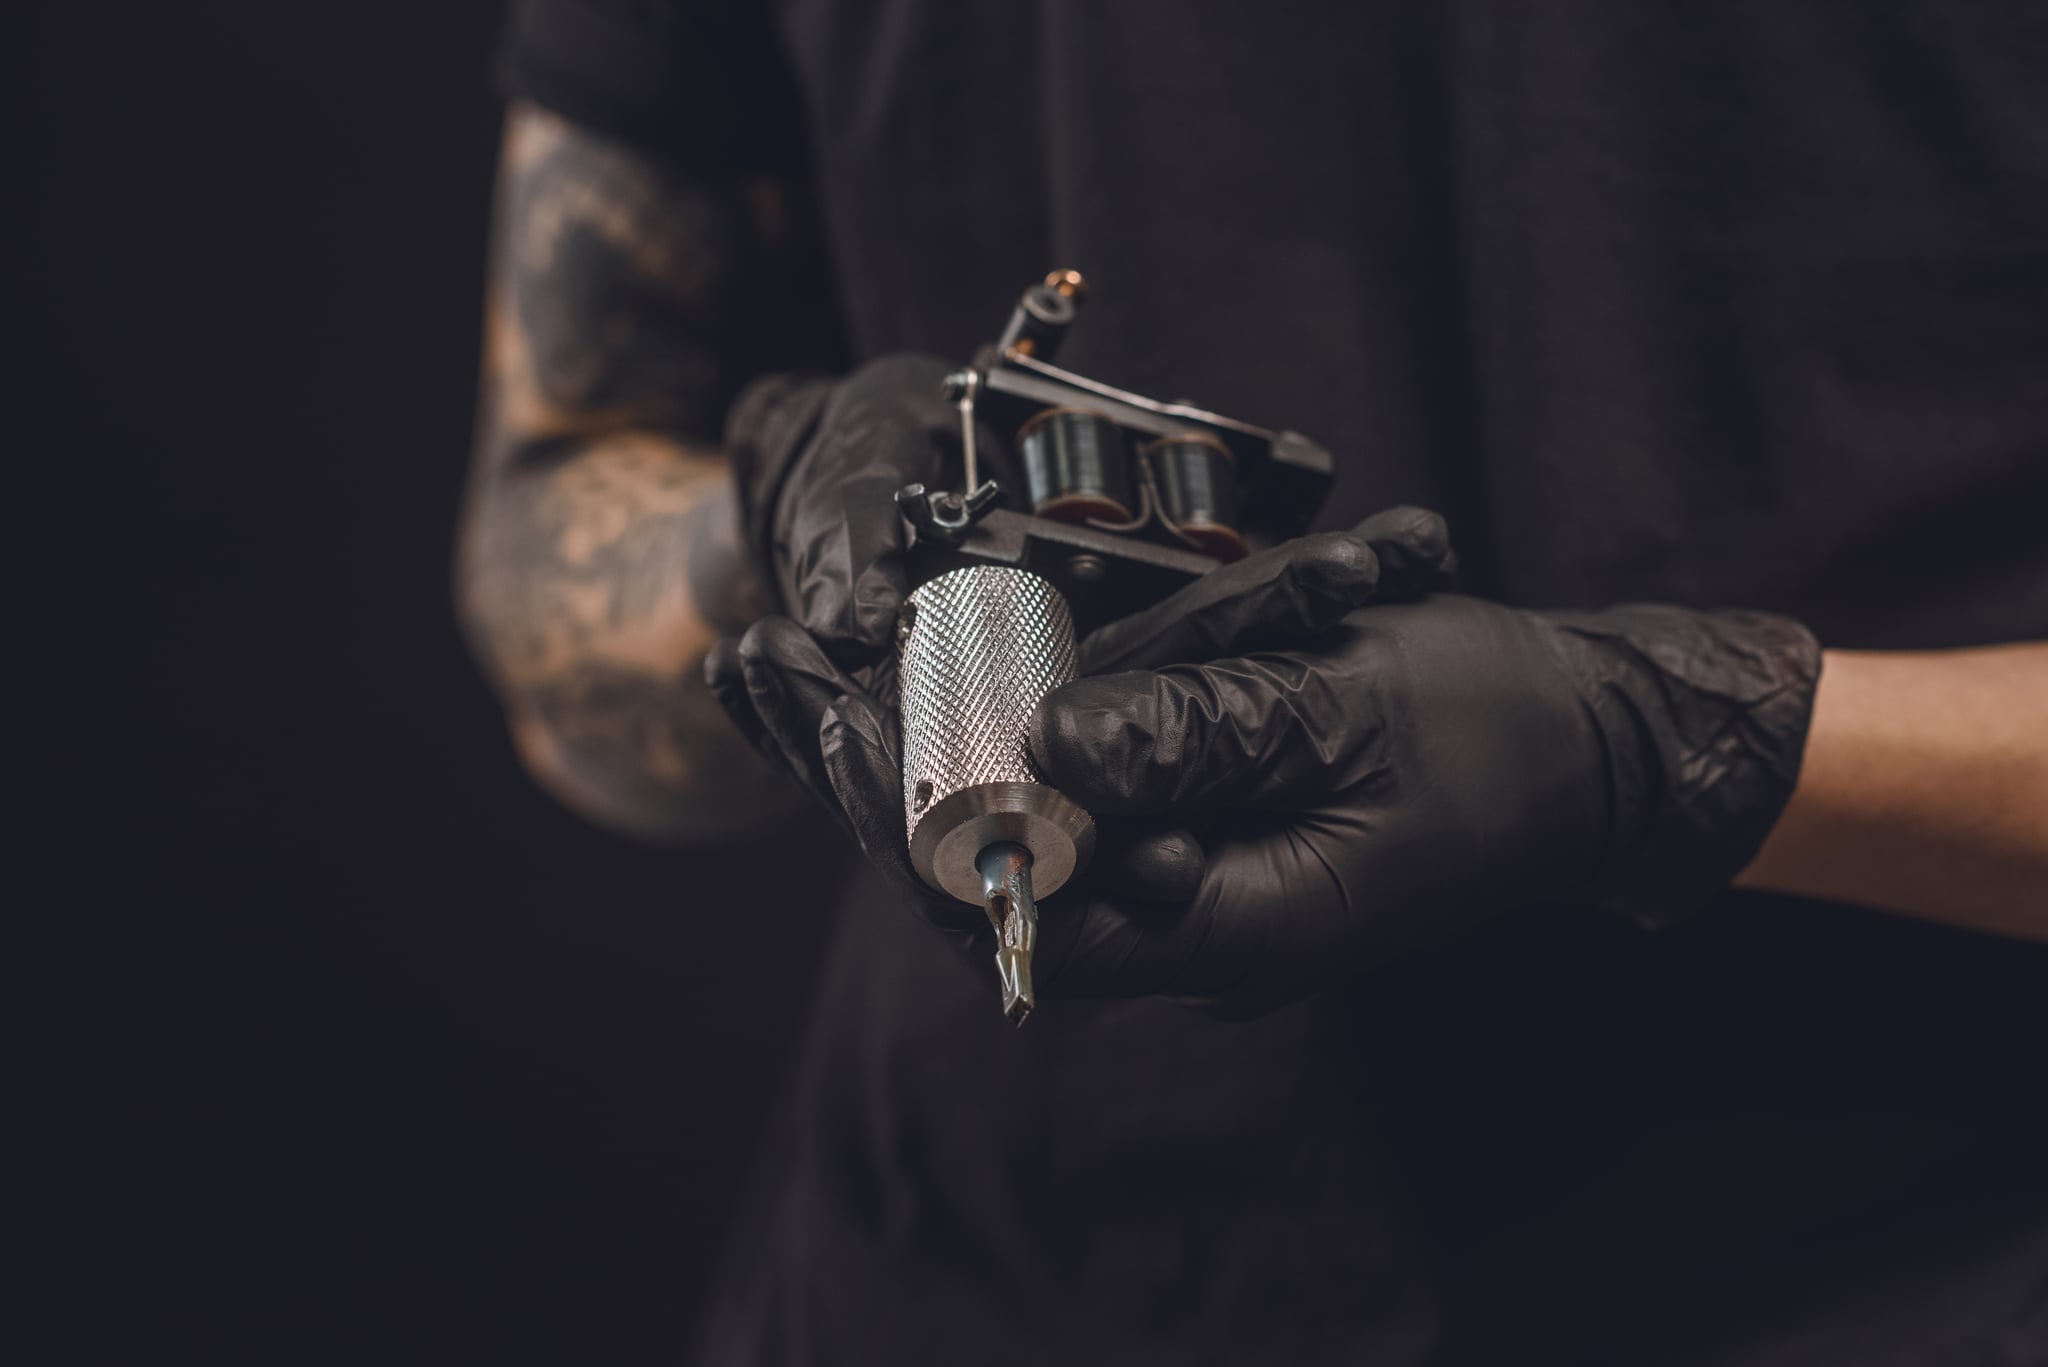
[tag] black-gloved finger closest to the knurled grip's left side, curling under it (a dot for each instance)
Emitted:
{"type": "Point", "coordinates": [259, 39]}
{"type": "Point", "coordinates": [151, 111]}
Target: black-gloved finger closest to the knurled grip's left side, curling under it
{"type": "Point", "coordinates": [861, 751]}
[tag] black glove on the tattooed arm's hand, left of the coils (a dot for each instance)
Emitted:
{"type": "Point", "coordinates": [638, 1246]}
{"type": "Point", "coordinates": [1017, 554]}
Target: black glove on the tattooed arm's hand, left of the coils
{"type": "Point", "coordinates": [818, 466]}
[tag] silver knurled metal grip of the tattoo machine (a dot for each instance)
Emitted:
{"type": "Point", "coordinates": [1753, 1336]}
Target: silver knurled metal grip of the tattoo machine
{"type": "Point", "coordinates": [980, 649]}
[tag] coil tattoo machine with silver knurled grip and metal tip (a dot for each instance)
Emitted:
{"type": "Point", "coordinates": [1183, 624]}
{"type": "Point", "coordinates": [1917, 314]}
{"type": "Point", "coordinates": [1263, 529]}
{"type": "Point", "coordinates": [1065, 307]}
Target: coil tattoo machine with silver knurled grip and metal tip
{"type": "Point", "coordinates": [1121, 501]}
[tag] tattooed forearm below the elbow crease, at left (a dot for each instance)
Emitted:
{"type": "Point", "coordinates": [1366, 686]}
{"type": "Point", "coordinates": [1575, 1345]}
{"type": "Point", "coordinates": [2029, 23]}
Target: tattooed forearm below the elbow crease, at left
{"type": "Point", "coordinates": [593, 587]}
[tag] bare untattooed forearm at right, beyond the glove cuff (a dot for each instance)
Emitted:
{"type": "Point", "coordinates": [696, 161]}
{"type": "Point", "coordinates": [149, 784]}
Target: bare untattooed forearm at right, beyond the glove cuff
{"type": "Point", "coordinates": [1924, 790]}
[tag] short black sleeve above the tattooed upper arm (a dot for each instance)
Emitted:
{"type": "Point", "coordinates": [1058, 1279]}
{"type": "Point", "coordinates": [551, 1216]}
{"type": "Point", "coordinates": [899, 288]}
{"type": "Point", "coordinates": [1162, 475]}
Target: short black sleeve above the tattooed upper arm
{"type": "Point", "coordinates": [701, 83]}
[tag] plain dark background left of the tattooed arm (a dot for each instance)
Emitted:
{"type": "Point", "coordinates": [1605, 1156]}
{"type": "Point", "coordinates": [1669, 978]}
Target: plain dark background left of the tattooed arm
{"type": "Point", "coordinates": [329, 1036]}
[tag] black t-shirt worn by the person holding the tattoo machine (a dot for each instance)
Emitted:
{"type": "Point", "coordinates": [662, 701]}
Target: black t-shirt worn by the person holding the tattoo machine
{"type": "Point", "coordinates": [1738, 304]}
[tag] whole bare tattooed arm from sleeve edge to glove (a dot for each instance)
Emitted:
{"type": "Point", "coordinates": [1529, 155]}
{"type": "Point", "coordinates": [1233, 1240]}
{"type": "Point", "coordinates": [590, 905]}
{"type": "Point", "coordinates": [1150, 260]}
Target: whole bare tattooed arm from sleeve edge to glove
{"type": "Point", "coordinates": [601, 552]}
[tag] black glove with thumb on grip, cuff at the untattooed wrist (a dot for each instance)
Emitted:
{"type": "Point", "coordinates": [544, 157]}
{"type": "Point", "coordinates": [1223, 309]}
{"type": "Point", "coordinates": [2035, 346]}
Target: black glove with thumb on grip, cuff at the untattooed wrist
{"type": "Point", "coordinates": [1424, 768]}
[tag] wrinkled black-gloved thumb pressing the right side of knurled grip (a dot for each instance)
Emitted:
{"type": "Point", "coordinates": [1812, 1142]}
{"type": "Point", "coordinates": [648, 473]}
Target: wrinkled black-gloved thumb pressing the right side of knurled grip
{"type": "Point", "coordinates": [1201, 737]}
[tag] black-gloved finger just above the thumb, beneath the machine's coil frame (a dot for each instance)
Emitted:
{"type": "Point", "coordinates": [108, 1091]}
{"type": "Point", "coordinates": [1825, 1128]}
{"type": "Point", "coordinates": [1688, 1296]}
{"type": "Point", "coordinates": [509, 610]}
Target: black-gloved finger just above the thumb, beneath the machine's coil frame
{"type": "Point", "coordinates": [1287, 591]}
